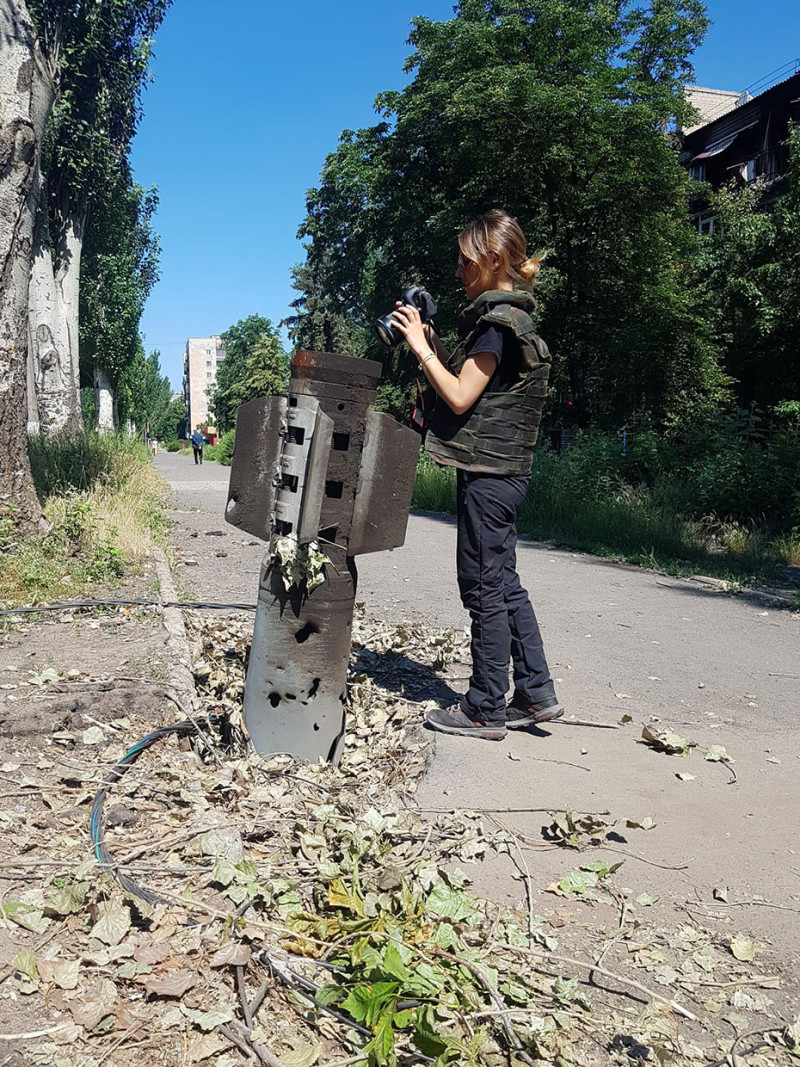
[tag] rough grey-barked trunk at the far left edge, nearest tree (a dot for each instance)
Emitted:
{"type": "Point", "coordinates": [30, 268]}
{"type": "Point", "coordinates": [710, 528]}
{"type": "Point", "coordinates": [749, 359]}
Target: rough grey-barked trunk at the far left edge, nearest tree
{"type": "Point", "coordinates": [27, 94]}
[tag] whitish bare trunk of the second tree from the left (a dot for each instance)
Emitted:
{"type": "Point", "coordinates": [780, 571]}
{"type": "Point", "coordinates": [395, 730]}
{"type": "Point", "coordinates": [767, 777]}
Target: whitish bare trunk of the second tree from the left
{"type": "Point", "coordinates": [51, 347]}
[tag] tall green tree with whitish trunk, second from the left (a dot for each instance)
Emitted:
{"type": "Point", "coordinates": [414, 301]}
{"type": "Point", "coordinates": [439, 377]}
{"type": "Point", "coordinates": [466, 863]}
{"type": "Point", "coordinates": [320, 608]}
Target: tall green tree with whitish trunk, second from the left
{"type": "Point", "coordinates": [102, 53]}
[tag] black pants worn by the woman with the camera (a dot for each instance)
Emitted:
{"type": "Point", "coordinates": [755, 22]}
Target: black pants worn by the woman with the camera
{"type": "Point", "coordinates": [504, 625]}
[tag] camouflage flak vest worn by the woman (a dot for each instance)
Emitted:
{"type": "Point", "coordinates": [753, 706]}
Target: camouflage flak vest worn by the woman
{"type": "Point", "coordinates": [499, 434]}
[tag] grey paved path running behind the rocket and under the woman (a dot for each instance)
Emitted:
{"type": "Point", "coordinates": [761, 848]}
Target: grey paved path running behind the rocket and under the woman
{"type": "Point", "coordinates": [718, 670]}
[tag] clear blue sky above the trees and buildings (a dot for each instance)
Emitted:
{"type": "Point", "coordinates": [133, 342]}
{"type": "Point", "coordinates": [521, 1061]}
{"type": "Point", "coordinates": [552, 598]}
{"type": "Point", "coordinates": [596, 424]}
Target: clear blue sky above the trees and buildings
{"type": "Point", "coordinates": [249, 99]}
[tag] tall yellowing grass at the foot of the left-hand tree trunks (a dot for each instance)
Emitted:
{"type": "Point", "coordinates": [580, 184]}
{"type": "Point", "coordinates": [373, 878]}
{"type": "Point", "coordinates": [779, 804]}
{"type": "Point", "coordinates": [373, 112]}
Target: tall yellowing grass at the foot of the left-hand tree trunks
{"type": "Point", "coordinates": [106, 508]}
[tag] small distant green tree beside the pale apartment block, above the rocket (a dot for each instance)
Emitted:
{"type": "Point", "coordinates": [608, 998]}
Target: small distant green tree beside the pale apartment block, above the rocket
{"type": "Point", "coordinates": [255, 365]}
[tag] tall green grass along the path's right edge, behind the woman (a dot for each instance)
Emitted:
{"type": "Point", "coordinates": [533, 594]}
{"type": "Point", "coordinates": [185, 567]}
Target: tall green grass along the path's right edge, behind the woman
{"type": "Point", "coordinates": [729, 514]}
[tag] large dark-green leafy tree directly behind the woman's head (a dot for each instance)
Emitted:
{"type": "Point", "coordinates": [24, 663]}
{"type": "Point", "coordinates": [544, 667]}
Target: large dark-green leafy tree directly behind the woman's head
{"type": "Point", "coordinates": [561, 113]}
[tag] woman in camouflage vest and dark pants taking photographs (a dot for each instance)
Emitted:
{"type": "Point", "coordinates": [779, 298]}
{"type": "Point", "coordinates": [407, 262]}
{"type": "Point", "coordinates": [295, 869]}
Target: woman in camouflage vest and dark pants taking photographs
{"type": "Point", "coordinates": [489, 404]}
